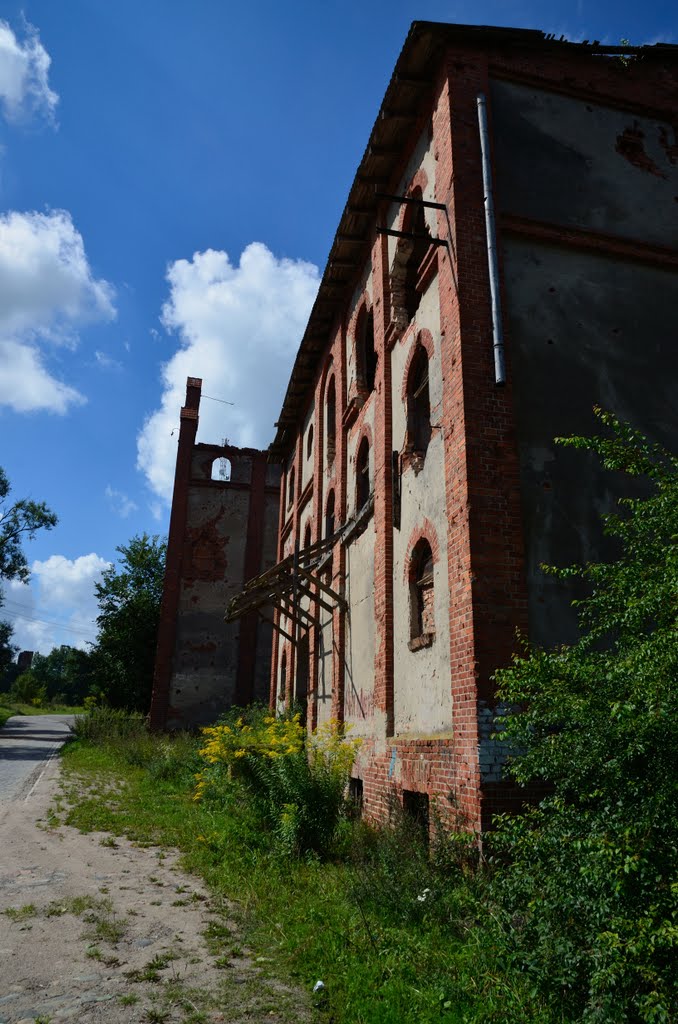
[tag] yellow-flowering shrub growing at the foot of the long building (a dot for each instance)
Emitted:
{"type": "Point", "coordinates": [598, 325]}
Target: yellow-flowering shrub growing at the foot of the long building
{"type": "Point", "coordinates": [298, 785]}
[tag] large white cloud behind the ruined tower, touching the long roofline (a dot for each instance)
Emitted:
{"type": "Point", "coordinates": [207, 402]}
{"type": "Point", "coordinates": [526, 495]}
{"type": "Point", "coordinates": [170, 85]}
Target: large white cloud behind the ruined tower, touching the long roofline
{"type": "Point", "coordinates": [239, 328]}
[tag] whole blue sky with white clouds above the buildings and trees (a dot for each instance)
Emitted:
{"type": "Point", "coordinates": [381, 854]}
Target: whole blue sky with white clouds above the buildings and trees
{"type": "Point", "coordinates": [172, 178]}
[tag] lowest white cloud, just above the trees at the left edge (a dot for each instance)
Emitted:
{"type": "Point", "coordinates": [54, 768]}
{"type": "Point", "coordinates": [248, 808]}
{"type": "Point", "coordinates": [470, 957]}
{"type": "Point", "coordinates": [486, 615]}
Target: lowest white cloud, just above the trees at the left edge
{"type": "Point", "coordinates": [58, 606]}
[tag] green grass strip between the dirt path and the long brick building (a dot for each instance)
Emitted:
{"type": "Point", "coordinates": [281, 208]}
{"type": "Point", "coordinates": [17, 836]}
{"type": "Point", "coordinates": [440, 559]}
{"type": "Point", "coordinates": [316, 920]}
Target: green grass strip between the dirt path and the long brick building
{"type": "Point", "coordinates": [393, 932]}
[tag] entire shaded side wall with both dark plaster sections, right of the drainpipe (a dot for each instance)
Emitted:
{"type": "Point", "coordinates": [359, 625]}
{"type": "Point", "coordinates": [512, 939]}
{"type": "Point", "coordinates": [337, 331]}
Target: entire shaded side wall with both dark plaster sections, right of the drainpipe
{"type": "Point", "coordinates": [589, 321]}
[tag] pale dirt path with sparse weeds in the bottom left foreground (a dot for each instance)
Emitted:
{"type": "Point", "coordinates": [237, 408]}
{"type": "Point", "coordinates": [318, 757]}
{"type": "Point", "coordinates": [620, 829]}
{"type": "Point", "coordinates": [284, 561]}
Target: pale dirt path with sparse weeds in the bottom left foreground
{"type": "Point", "coordinates": [102, 931]}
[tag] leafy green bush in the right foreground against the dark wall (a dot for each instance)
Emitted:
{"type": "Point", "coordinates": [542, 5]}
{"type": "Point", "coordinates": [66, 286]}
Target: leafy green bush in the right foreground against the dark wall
{"type": "Point", "coordinates": [589, 878]}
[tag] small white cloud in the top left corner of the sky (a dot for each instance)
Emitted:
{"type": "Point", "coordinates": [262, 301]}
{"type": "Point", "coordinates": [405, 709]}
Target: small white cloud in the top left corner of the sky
{"type": "Point", "coordinates": [25, 65]}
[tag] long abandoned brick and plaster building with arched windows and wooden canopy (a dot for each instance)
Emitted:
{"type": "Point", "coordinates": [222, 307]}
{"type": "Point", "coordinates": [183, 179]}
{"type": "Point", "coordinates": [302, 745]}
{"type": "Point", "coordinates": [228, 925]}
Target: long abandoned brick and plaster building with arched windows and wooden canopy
{"type": "Point", "coordinates": [506, 260]}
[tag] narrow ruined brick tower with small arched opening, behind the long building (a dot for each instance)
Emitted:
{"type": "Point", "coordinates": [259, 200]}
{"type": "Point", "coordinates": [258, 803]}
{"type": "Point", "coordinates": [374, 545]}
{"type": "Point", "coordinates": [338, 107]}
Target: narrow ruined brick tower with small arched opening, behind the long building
{"type": "Point", "coordinates": [223, 533]}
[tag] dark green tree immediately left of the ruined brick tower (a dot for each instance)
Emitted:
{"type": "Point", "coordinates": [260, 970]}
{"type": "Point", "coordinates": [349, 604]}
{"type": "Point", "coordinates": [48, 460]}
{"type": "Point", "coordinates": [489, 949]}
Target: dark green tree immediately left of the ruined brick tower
{"type": "Point", "coordinates": [130, 598]}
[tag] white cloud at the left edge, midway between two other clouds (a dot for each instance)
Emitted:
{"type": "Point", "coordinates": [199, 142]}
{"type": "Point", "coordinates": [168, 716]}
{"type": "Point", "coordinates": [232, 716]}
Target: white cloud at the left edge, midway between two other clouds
{"type": "Point", "coordinates": [48, 292]}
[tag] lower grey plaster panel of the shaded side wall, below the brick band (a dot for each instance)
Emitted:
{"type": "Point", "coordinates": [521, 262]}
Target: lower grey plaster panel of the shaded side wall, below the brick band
{"type": "Point", "coordinates": [583, 330]}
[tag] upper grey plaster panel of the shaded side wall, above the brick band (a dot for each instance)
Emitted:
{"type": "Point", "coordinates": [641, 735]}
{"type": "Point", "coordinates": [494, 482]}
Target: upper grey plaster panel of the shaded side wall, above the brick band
{"type": "Point", "coordinates": [575, 163]}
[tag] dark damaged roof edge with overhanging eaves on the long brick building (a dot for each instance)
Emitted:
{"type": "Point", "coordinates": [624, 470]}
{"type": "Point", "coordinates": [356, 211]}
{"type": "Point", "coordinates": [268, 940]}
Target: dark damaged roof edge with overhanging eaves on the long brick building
{"type": "Point", "coordinates": [412, 77]}
